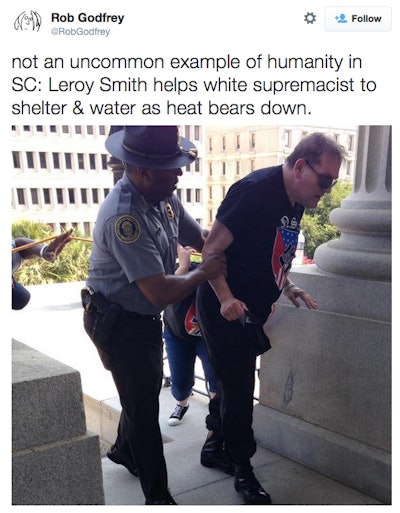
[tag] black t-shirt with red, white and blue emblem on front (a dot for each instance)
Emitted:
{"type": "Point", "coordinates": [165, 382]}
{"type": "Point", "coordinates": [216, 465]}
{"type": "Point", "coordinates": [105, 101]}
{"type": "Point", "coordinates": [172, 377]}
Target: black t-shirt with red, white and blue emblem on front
{"type": "Point", "coordinates": [265, 227]}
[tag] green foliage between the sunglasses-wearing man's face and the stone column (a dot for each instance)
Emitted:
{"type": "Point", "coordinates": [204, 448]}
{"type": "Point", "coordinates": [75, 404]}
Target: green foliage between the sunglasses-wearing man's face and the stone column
{"type": "Point", "coordinates": [315, 224]}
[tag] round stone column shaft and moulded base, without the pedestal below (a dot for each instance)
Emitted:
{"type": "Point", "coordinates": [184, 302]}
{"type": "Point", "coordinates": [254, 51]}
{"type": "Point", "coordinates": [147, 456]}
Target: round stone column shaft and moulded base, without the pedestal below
{"type": "Point", "coordinates": [364, 218]}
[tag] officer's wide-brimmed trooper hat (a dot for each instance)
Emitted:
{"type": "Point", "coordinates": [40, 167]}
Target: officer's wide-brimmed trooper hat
{"type": "Point", "coordinates": [154, 147]}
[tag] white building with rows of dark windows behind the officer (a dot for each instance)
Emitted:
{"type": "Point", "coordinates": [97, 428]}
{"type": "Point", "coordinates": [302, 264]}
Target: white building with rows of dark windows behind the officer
{"type": "Point", "coordinates": [60, 175]}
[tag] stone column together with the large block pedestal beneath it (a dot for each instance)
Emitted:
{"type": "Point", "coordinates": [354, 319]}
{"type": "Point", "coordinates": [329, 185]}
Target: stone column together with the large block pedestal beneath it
{"type": "Point", "coordinates": [325, 386]}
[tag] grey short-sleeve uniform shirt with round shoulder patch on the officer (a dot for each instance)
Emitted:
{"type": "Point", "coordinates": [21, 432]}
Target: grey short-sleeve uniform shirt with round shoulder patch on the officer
{"type": "Point", "coordinates": [135, 240]}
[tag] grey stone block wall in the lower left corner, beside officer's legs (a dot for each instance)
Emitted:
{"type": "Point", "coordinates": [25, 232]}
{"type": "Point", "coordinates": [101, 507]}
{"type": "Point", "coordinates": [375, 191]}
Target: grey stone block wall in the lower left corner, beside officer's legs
{"type": "Point", "coordinates": [55, 461]}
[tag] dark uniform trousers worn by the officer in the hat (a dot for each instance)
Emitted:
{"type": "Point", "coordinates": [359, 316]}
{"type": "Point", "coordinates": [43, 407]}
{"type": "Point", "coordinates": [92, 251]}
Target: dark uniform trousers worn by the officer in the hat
{"type": "Point", "coordinates": [134, 358]}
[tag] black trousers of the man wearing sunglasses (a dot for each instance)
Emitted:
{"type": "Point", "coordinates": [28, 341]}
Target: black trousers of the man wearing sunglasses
{"type": "Point", "coordinates": [231, 351]}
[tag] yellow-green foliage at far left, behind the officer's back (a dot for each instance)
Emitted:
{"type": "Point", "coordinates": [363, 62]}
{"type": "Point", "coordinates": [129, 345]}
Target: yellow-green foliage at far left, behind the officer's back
{"type": "Point", "coordinates": [72, 263]}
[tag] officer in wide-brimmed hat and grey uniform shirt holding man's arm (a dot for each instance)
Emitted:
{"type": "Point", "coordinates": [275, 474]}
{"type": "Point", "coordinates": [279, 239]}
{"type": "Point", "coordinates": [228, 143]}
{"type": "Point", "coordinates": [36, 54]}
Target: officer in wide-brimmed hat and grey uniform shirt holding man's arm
{"type": "Point", "coordinates": [131, 280]}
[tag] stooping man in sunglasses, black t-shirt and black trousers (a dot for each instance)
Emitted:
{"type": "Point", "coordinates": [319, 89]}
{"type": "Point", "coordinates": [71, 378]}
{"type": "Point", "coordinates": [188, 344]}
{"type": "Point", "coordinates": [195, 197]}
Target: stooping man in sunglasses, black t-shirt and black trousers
{"type": "Point", "coordinates": [257, 225]}
